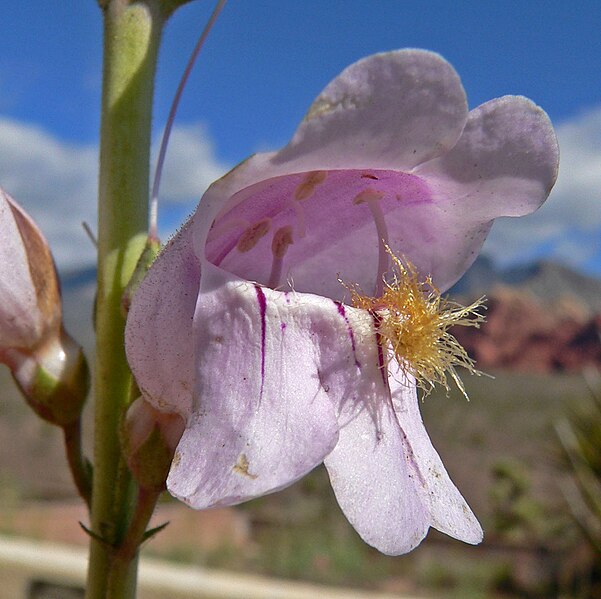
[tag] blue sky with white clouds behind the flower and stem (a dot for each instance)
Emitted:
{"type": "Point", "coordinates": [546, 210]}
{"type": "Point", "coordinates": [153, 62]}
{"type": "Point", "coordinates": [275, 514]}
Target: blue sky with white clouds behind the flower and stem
{"type": "Point", "coordinates": [264, 63]}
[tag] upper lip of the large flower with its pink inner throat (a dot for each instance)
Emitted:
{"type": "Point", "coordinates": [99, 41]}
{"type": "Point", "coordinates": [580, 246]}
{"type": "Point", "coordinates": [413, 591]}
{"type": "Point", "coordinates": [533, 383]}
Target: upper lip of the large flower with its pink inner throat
{"type": "Point", "coordinates": [437, 216]}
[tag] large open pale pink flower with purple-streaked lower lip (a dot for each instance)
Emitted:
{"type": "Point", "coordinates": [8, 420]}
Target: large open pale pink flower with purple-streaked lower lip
{"type": "Point", "coordinates": [241, 325]}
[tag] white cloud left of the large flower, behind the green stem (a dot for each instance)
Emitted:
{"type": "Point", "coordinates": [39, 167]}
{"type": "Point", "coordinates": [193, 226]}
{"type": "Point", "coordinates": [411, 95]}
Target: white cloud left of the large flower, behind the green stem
{"type": "Point", "coordinates": [56, 181]}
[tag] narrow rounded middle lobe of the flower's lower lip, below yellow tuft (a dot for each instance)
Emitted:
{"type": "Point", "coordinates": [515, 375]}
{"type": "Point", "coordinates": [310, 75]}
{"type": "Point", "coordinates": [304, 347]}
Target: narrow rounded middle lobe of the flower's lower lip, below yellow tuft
{"type": "Point", "coordinates": [371, 474]}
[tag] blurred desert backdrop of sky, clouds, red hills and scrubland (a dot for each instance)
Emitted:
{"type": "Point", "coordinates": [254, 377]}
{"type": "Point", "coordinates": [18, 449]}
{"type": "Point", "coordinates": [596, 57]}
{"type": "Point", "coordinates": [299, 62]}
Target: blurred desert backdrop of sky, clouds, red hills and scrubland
{"type": "Point", "coordinates": [525, 451]}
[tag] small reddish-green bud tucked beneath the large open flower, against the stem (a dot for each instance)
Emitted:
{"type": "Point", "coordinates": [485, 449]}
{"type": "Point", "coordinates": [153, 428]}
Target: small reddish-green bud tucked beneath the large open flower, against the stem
{"type": "Point", "coordinates": [149, 440]}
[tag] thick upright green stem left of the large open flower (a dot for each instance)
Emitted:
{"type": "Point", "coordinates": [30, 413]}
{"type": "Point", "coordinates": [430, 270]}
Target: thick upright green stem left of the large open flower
{"type": "Point", "coordinates": [132, 33]}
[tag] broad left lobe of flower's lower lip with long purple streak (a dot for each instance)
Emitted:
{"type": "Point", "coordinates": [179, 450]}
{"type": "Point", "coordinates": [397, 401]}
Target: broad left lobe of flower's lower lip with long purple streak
{"type": "Point", "coordinates": [262, 418]}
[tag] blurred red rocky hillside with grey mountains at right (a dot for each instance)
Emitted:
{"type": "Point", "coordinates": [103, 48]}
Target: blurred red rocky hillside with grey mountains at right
{"type": "Point", "coordinates": [542, 318]}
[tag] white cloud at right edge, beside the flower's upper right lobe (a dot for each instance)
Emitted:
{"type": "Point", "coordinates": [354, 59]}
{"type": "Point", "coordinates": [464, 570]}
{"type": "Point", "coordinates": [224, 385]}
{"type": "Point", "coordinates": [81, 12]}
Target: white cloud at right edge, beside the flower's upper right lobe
{"type": "Point", "coordinates": [567, 226]}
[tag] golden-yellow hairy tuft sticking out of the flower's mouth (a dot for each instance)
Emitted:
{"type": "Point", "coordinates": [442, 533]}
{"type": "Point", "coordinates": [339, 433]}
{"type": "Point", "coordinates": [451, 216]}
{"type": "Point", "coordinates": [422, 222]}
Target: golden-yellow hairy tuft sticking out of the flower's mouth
{"type": "Point", "coordinates": [413, 322]}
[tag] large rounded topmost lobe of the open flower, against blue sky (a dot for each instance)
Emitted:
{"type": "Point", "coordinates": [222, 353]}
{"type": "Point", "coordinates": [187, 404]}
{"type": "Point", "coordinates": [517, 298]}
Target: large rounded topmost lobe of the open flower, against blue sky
{"type": "Point", "coordinates": [390, 111]}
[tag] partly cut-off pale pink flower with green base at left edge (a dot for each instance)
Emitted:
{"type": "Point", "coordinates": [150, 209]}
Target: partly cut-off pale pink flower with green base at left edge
{"type": "Point", "coordinates": [46, 363]}
